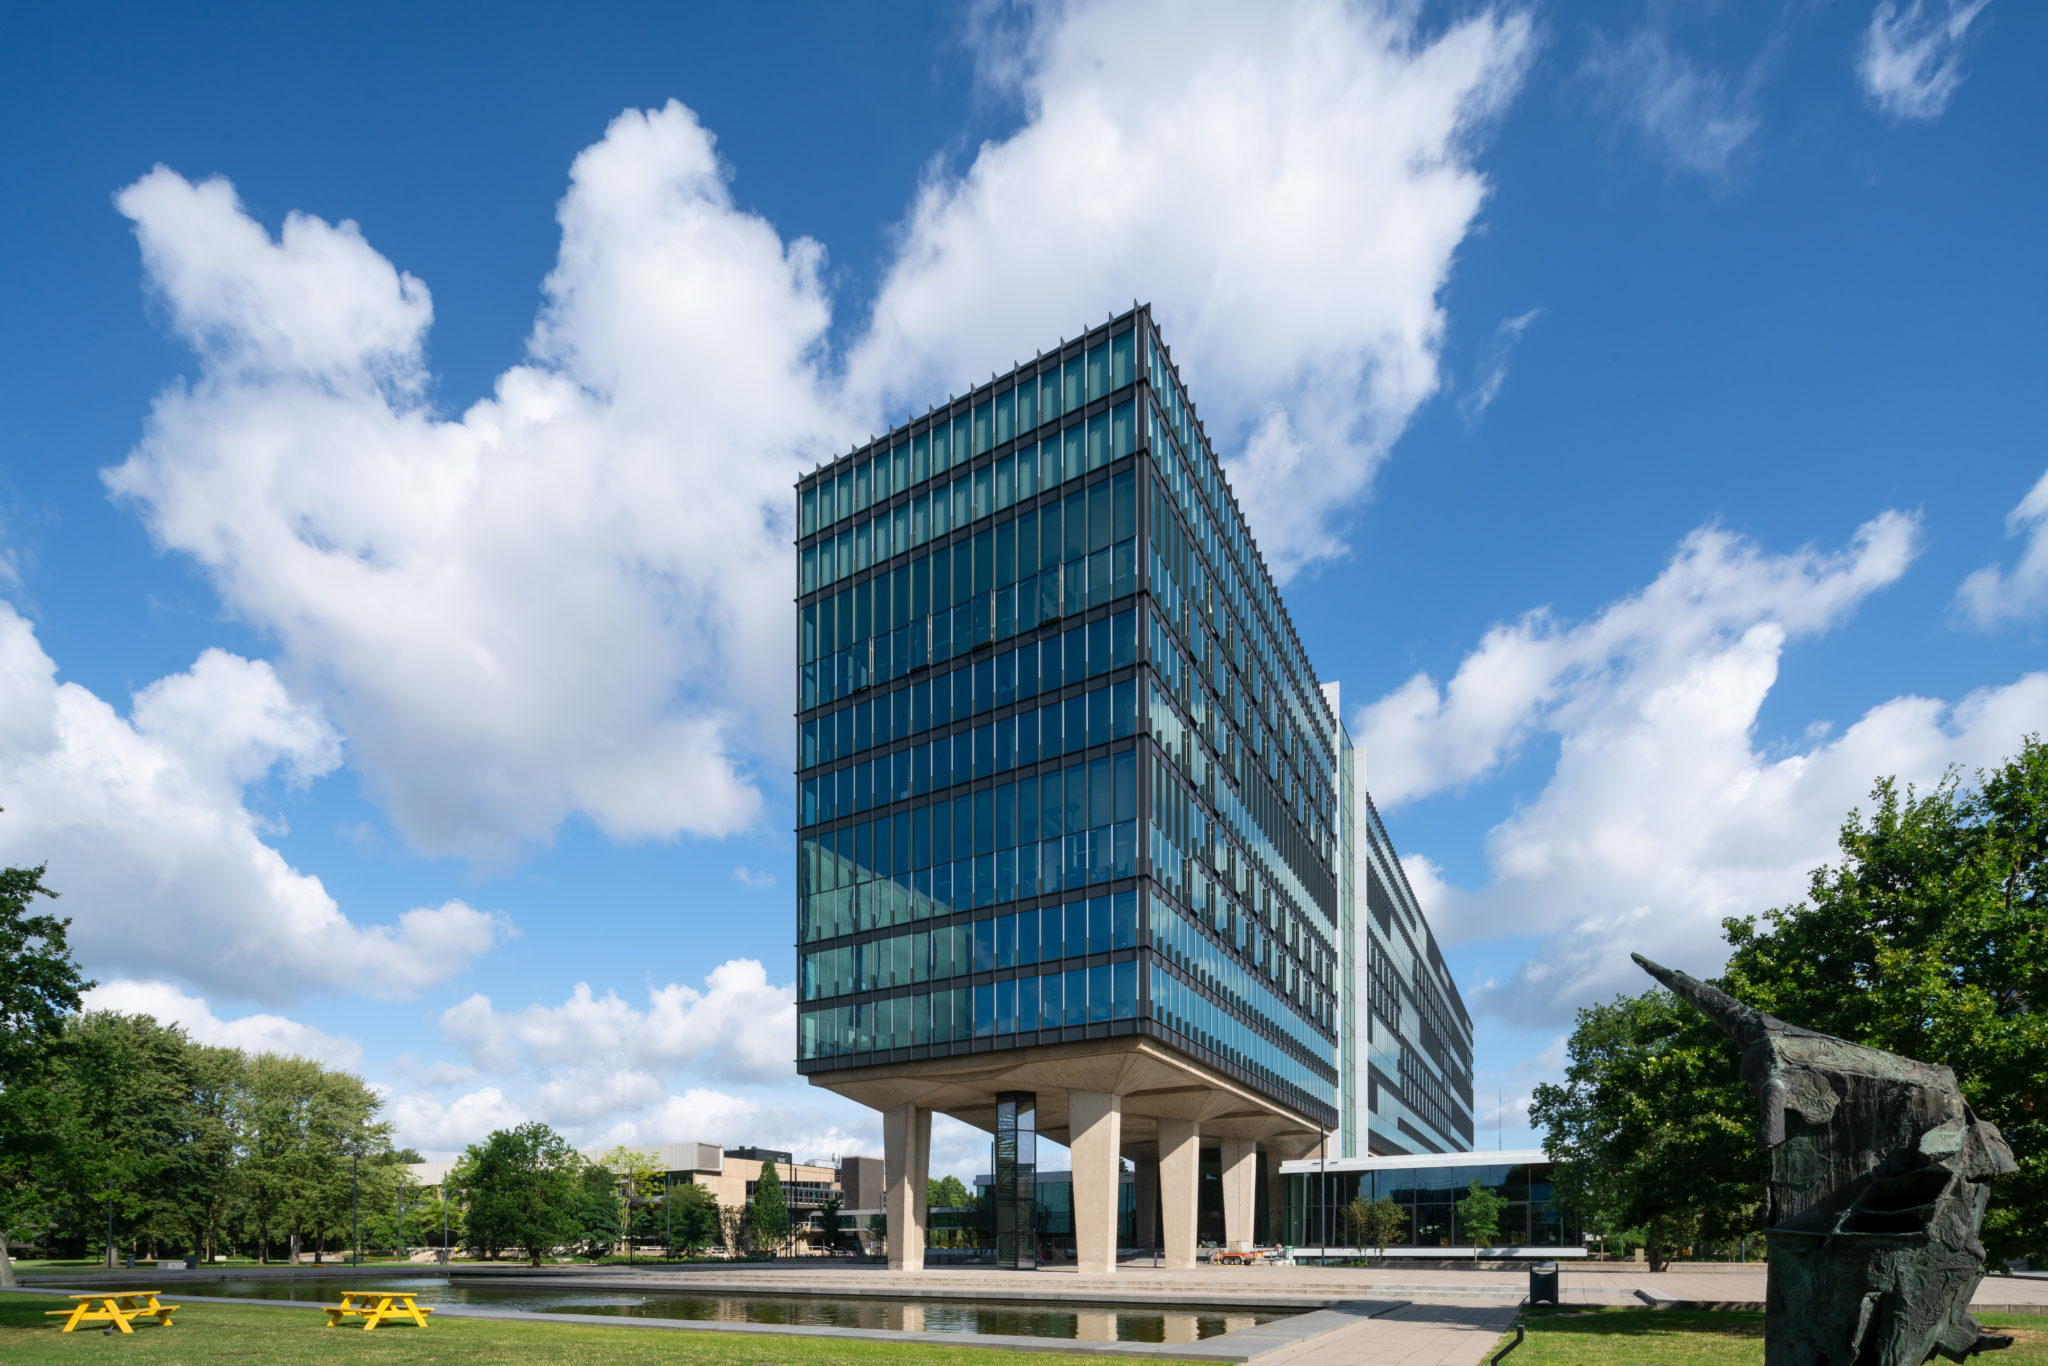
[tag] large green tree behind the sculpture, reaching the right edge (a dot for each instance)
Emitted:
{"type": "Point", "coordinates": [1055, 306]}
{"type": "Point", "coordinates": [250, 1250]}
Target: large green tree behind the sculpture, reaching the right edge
{"type": "Point", "coordinates": [1930, 939]}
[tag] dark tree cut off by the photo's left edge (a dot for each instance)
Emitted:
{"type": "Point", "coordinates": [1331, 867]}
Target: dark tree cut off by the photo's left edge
{"type": "Point", "coordinates": [40, 988]}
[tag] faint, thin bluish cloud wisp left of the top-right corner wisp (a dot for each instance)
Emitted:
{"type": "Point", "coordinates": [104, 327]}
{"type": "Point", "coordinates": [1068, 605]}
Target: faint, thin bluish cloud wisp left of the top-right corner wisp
{"type": "Point", "coordinates": [1693, 118]}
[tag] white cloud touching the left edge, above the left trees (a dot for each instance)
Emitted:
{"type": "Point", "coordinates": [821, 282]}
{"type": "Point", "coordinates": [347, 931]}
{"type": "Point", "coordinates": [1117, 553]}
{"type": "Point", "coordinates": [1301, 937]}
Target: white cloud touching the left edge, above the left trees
{"type": "Point", "coordinates": [161, 861]}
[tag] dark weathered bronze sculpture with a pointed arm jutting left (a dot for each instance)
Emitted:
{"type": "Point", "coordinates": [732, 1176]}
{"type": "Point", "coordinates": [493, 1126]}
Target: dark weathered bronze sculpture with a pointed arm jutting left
{"type": "Point", "coordinates": [1879, 1187]}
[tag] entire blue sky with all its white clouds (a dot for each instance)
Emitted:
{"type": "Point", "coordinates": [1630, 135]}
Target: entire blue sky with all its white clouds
{"type": "Point", "coordinates": [1644, 400]}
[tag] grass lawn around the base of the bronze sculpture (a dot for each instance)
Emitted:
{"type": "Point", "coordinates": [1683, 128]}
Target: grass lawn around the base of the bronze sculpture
{"type": "Point", "coordinates": [1705, 1338]}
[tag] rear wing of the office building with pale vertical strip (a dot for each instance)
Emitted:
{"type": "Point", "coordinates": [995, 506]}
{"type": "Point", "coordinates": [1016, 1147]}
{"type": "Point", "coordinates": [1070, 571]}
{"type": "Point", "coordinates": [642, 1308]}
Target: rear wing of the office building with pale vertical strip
{"type": "Point", "coordinates": [1408, 1043]}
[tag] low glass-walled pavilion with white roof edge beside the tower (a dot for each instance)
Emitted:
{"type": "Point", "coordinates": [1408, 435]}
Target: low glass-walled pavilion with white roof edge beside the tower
{"type": "Point", "coordinates": [1428, 1189]}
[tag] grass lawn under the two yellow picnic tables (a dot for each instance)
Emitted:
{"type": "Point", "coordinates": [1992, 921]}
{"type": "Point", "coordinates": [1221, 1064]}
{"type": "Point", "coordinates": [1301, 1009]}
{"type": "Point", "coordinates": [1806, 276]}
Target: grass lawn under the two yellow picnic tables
{"type": "Point", "coordinates": [261, 1334]}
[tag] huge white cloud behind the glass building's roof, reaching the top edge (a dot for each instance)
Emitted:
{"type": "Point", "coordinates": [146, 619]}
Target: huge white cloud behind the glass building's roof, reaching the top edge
{"type": "Point", "coordinates": [1285, 183]}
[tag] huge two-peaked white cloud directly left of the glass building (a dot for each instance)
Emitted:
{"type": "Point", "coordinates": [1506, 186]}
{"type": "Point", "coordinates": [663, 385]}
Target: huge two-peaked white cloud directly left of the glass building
{"type": "Point", "coordinates": [570, 599]}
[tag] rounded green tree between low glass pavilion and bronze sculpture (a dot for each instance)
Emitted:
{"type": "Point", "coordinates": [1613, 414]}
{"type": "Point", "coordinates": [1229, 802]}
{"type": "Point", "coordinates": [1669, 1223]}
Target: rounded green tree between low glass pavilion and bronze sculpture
{"type": "Point", "coordinates": [1652, 1125]}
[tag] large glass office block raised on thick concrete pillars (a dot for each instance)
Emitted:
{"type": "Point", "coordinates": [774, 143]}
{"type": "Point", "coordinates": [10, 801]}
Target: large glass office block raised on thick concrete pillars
{"type": "Point", "coordinates": [1070, 814]}
